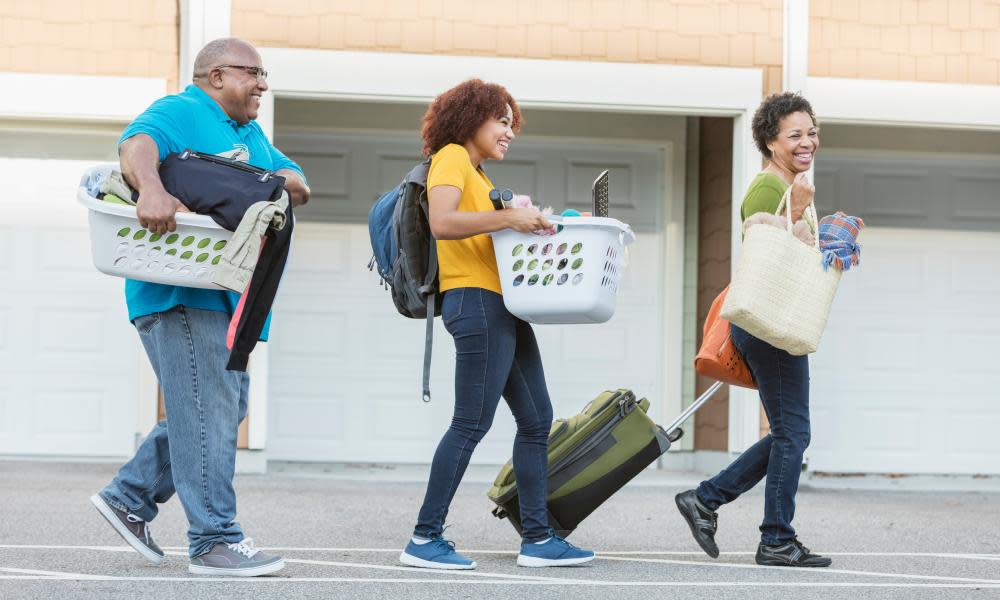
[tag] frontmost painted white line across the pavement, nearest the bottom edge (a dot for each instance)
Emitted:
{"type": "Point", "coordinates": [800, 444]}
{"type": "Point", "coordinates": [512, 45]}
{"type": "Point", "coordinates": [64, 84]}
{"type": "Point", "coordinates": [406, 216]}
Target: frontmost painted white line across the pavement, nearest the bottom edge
{"type": "Point", "coordinates": [691, 584]}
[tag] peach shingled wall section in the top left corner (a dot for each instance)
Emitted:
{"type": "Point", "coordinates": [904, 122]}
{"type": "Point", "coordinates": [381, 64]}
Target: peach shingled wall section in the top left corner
{"type": "Point", "coordinates": [133, 38]}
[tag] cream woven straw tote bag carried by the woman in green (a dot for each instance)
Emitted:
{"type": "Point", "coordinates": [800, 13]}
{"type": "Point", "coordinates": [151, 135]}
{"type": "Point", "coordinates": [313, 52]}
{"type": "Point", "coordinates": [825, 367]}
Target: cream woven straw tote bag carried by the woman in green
{"type": "Point", "coordinates": [780, 292]}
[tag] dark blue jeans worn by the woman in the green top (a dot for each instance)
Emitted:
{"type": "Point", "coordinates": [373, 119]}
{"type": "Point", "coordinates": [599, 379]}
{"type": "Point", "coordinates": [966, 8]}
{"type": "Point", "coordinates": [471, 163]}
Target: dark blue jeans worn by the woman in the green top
{"type": "Point", "coordinates": [783, 383]}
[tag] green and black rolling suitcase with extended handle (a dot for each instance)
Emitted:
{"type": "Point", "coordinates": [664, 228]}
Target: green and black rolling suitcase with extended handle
{"type": "Point", "coordinates": [592, 455]}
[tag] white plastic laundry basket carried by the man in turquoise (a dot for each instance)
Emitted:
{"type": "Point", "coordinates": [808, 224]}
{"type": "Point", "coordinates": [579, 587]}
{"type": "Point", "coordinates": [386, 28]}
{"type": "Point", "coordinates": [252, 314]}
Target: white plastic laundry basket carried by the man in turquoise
{"type": "Point", "coordinates": [121, 247]}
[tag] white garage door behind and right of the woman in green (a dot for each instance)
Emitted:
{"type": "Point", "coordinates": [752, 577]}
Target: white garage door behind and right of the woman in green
{"type": "Point", "coordinates": [906, 379]}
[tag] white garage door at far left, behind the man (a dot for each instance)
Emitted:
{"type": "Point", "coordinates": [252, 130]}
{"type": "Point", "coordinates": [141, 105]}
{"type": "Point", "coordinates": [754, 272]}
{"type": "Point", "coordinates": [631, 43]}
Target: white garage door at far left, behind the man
{"type": "Point", "coordinates": [67, 352]}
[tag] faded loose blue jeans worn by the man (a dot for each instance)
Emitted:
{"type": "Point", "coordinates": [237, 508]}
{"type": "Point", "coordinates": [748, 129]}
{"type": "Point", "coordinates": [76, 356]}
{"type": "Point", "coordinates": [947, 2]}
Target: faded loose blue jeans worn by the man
{"type": "Point", "coordinates": [193, 451]}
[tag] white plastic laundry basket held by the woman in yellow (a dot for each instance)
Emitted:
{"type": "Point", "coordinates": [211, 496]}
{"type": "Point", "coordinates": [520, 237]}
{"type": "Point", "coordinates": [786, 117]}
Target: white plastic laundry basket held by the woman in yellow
{"type": "Point", "coordinates": [569, 277]}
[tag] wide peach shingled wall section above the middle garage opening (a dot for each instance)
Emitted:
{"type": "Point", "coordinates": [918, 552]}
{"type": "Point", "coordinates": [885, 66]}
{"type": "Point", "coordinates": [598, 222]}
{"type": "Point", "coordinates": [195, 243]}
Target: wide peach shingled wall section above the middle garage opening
{"type": "Point", "coordinates": [692, 32]}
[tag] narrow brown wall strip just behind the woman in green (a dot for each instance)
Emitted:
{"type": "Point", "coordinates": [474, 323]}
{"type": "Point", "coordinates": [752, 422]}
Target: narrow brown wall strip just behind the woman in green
{"type": "Point", "coordinates": [714, 230]}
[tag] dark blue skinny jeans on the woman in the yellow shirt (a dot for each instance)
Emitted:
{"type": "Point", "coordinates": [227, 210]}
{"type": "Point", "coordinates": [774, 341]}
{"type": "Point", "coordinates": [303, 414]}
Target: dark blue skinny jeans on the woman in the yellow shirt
{"type": "Point", "coordinates": [496, 353]}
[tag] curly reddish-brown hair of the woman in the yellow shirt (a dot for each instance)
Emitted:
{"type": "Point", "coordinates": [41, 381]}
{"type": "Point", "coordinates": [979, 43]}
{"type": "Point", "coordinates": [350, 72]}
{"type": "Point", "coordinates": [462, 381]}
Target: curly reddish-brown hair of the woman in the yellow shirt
{"type": "Point", "coordinates": [456, 115]}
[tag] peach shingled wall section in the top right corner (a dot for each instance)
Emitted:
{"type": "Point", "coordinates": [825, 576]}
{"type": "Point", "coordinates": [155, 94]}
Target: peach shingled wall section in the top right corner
{"type": "Point", "coordinates": [946, 41]}
